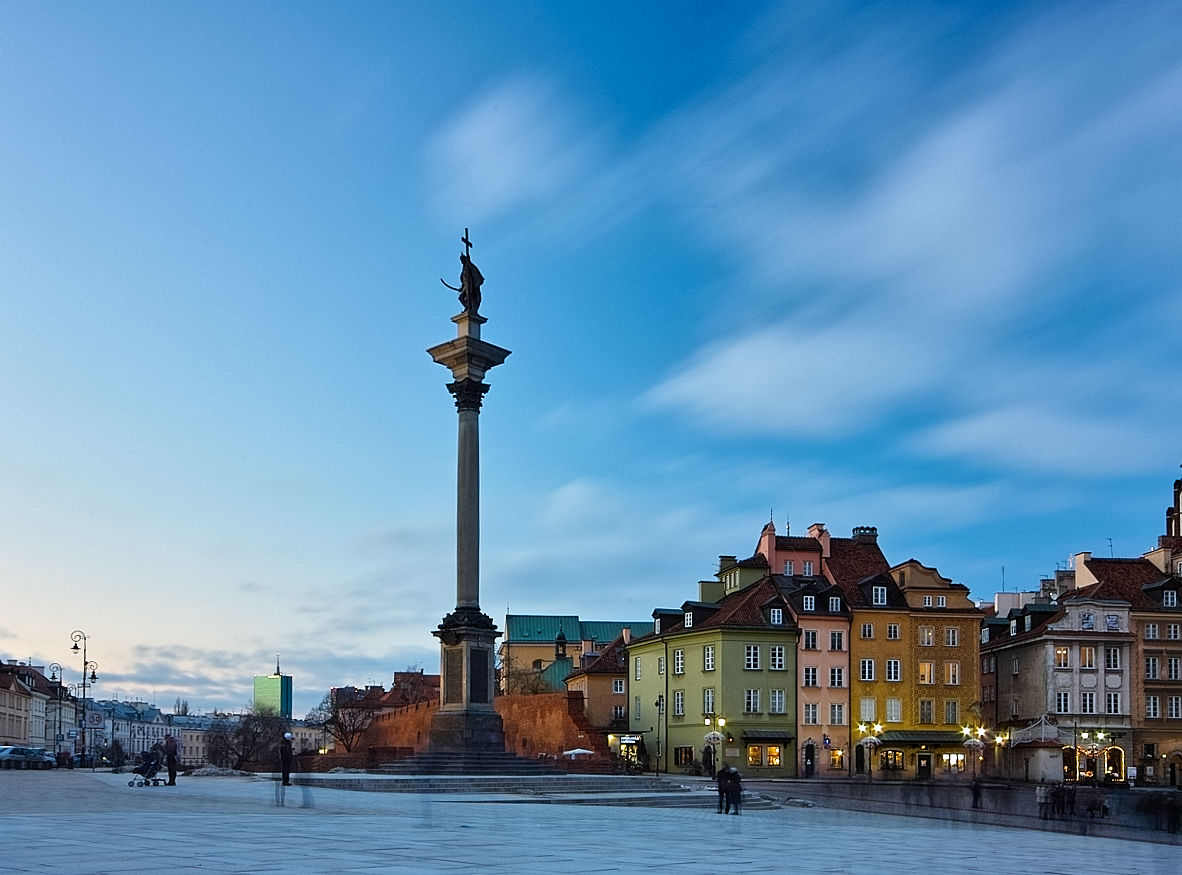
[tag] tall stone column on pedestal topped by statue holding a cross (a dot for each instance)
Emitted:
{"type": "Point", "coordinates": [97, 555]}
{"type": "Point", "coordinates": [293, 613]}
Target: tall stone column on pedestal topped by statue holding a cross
{"type": "Point", "coordinates": [467, 720]}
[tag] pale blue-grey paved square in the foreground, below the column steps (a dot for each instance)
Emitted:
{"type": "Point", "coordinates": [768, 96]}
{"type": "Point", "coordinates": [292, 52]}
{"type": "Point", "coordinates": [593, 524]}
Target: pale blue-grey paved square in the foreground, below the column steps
{"type": "Point", "coordinates": [82, 822]}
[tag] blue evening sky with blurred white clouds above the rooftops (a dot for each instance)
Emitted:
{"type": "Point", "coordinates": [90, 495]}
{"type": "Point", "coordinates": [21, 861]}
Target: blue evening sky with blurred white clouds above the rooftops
{"type": "Point", "coordinates": [906, 265]}
